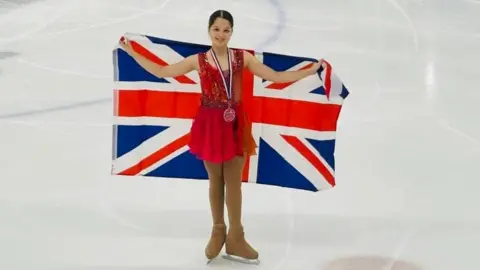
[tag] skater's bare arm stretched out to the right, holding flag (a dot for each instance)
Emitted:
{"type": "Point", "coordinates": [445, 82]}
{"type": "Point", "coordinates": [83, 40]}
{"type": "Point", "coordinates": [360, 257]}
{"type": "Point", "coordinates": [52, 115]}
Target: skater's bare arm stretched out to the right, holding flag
{"type": "Point", "coordinates": [267, 73]}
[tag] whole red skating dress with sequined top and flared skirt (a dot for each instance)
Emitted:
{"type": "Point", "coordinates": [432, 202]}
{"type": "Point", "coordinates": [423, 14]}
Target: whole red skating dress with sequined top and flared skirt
{"type": "Point", "coordinates": [212, 138]}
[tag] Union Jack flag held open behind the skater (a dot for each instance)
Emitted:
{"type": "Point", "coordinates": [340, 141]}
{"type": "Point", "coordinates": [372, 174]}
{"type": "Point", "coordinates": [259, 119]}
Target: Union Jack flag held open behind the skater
{"type": "Point", "coordinates": [294, 124]}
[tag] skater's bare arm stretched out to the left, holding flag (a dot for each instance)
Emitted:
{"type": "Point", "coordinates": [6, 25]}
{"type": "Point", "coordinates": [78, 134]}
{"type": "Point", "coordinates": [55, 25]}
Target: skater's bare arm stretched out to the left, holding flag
{"type": "Point", "coordinates": [185, 66]}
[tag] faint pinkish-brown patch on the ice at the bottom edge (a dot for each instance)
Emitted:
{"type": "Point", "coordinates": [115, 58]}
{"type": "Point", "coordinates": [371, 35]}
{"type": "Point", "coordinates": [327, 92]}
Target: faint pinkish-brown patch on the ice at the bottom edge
{"type": "Point", "coordinates": [370, 263]}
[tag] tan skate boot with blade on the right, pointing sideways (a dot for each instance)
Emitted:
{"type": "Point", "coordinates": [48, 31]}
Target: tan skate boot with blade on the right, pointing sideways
{"type": "Point", "coordinates": [238, 249]}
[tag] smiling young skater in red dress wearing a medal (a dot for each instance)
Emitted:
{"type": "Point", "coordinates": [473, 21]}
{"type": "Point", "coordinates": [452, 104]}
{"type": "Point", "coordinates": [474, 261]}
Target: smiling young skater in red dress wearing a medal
{"type": "Point", "coordinates": [218, 135]}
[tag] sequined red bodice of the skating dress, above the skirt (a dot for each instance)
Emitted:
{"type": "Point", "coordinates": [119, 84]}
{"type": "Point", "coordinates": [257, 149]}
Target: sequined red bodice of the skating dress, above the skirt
{"type": "Point", "coordinates": [213, 89]}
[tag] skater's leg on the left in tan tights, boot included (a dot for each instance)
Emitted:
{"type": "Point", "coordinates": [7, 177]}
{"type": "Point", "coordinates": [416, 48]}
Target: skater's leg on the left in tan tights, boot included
{"type": "Point", "coordinates": [216, 196]}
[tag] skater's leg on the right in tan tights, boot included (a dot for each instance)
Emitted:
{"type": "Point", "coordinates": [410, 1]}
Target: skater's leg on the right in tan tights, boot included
{"type": "Point", "coordinates": [235, 243]}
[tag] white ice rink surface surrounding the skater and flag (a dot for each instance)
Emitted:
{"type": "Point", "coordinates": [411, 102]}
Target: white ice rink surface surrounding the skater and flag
{"type": "Point", "coordinates": [407, 158]}
